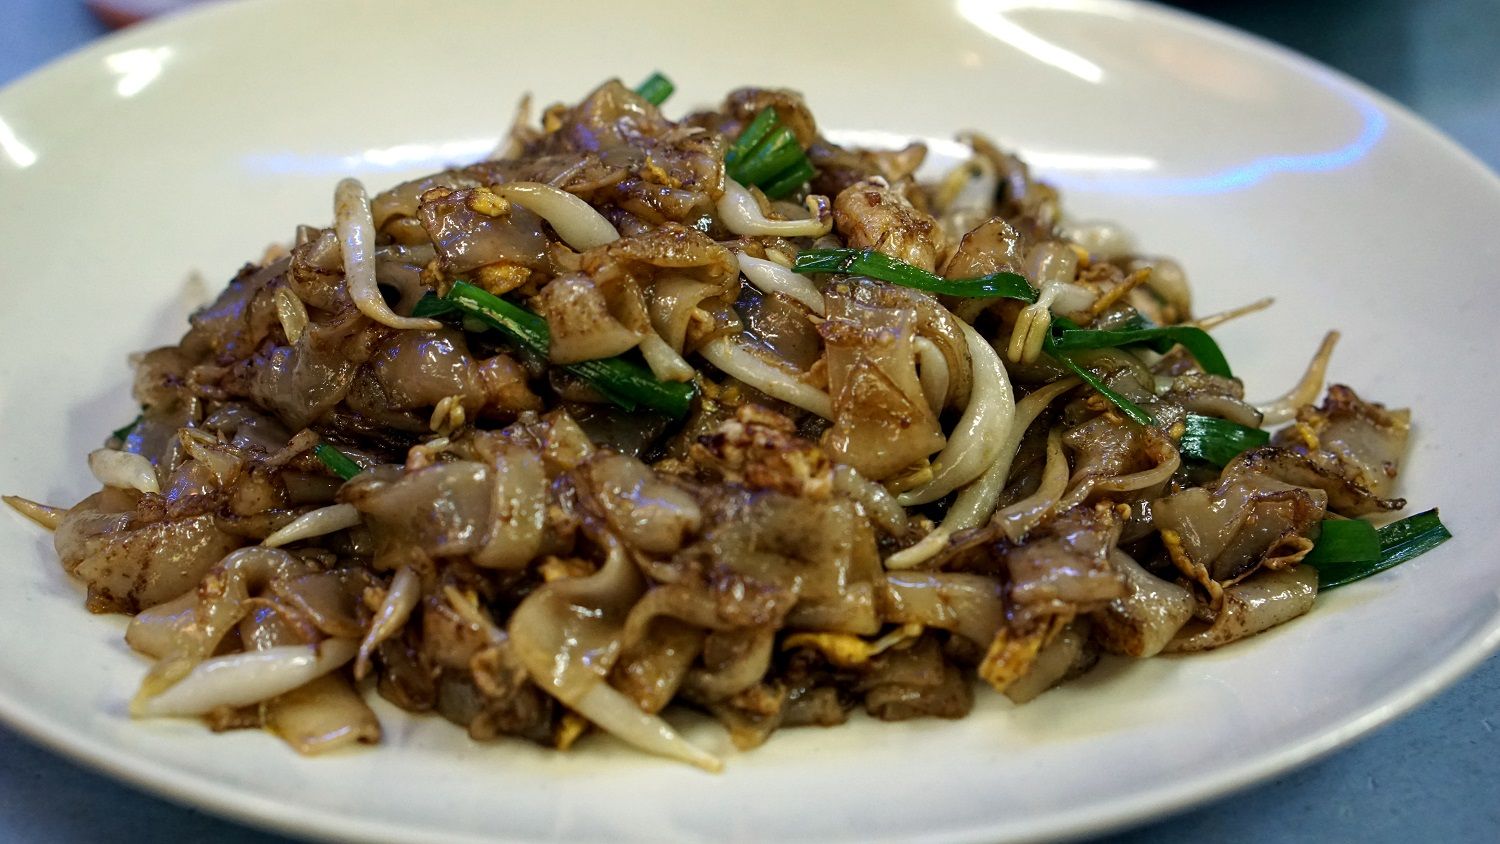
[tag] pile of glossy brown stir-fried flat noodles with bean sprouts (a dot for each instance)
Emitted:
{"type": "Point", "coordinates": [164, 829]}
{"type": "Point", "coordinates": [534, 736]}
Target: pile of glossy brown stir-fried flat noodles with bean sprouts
{"type": "Point", "coordinates": [877, 495]}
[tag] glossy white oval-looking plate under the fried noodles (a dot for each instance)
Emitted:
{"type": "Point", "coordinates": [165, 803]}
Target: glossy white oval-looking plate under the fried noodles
{"type": "Point", "coordinates": [191, 145]}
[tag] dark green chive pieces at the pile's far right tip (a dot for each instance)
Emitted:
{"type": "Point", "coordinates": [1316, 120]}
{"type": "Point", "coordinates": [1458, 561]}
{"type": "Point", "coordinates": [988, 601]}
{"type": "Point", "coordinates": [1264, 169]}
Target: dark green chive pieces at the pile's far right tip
{"type": "Point", "coordinates": [1349, 549]}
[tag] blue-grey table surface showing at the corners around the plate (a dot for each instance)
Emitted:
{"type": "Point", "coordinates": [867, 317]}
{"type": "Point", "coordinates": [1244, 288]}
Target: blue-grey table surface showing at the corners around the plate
{"type": "Point", "coordinates": [1433, 774]}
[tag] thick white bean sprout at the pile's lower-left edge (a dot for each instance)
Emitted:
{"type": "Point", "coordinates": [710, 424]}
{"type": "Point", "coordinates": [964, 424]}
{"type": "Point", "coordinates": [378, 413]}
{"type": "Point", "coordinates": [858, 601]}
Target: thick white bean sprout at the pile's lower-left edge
{"type": "Point", "coordinates": [239, 680]}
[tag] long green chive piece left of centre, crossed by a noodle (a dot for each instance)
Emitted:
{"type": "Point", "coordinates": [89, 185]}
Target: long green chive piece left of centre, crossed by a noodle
{"type": "Point", "coordinates": [620, 382]}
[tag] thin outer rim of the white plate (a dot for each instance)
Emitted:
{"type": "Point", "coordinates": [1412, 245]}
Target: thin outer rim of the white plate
{"type": "Point", "coordinates": [181, 788]}
